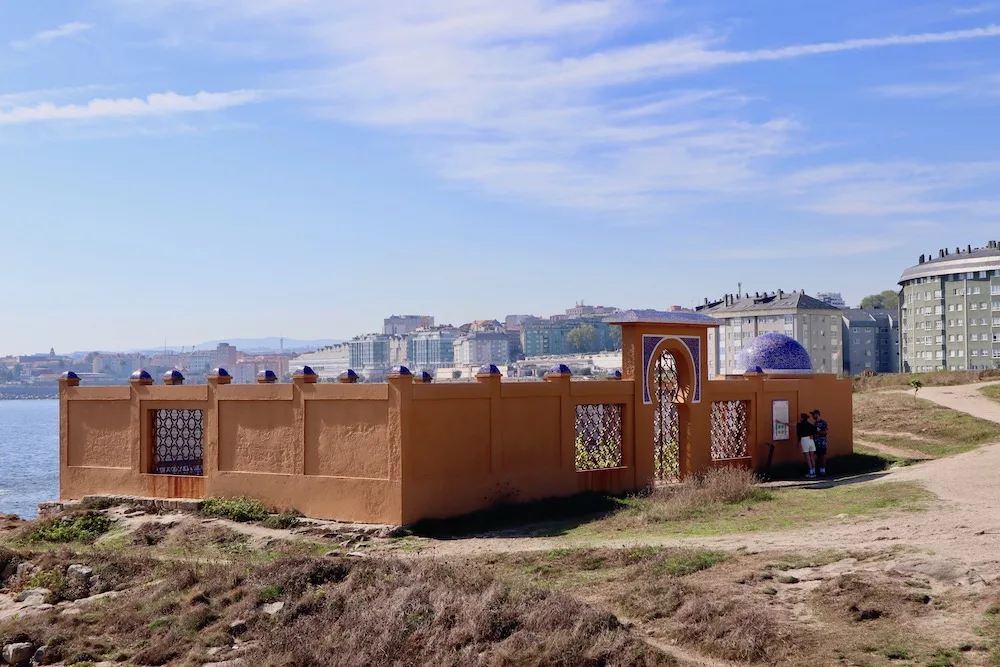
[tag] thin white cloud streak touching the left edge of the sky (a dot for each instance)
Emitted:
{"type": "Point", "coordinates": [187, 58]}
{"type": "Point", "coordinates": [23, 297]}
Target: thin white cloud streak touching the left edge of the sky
{"type": "Point", "coordinates": [157, 104]}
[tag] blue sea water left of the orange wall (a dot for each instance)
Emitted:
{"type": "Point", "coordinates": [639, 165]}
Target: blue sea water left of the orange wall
{"type": "Point", "coordinates": [29, 455]}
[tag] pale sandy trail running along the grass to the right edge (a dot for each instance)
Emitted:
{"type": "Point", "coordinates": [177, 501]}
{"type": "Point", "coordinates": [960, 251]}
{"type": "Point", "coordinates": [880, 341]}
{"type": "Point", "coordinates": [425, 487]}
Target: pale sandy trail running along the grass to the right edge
{"type": "Point", "coordinates": [957, 537]}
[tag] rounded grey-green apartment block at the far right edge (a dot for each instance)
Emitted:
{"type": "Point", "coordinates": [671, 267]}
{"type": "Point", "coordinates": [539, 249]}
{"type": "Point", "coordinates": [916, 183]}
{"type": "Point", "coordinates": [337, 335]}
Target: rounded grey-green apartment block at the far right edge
{"type": "Point", "coordinates": [950, 310]}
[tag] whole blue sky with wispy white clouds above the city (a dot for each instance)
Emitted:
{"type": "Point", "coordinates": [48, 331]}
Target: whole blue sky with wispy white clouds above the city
{"type": "Point", "coordinates": [184, 170]}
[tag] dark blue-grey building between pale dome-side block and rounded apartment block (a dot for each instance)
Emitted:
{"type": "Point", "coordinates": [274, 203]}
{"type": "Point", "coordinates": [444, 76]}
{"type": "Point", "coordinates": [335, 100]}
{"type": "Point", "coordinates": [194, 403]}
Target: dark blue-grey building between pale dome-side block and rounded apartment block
{"type": "Point", "coordinates": [871, 341]}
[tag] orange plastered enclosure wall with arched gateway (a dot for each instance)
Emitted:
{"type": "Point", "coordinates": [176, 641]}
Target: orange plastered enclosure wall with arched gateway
{"type": "Point", "coordinates": [398, 452]}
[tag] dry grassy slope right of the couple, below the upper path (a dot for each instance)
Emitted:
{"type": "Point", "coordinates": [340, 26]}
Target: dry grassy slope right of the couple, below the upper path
{"type": "Point", "coordinates": [915, 424]}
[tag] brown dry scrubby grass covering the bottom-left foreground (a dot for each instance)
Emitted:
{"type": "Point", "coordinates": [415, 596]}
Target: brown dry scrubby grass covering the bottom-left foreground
{"type": "Point", "coordinates": [336, 612]}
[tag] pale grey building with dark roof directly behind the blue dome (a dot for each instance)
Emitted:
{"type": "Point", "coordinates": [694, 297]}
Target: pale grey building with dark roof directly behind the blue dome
{"type": "Point", "coordinates": [814, 324]}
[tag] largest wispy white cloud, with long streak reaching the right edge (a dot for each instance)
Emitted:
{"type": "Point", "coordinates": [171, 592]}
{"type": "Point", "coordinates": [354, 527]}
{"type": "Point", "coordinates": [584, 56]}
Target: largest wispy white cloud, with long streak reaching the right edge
{"type": "Point", "coordinates": [548, 102]}
